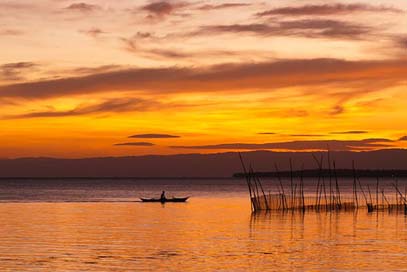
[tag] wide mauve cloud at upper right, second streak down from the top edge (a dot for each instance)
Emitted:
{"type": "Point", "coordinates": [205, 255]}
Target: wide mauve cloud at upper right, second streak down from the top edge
{"type": "Point", "coordinates": [311, 28]}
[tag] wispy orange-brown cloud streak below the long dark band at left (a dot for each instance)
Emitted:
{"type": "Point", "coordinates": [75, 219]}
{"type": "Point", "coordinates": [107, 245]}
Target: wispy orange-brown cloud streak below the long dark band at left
{"type": "Point", "coordinates": [113, 105]}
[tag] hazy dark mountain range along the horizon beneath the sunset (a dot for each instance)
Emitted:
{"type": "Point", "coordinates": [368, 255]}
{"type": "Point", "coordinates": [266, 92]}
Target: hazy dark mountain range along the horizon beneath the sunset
{"type": "Point", "coordinates": [196, 165]}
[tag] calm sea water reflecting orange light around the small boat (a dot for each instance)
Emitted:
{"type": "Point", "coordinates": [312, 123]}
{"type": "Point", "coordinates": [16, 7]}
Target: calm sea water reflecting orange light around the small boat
{"type": "Point", "coordinates": [98, 225]}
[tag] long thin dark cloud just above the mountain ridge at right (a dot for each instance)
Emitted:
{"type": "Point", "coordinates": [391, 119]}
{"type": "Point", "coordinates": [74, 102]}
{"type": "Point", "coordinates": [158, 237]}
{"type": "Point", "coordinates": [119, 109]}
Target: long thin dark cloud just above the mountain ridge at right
{"type": "Point", "coordinates": [333, 145]}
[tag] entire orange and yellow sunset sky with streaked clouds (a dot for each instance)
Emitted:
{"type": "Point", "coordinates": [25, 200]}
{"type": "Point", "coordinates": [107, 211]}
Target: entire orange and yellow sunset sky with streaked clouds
{"type": "Point", "coordinates": [113, 78]}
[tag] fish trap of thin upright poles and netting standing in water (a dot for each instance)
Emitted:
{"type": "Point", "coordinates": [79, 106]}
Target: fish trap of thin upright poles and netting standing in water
{"type": "Point", "coordinates": [327, 197]}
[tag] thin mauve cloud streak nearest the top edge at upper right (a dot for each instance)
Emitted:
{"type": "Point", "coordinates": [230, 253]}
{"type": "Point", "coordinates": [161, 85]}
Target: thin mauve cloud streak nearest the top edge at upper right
{"type": "Point", "coordinates": [327, 9]}
